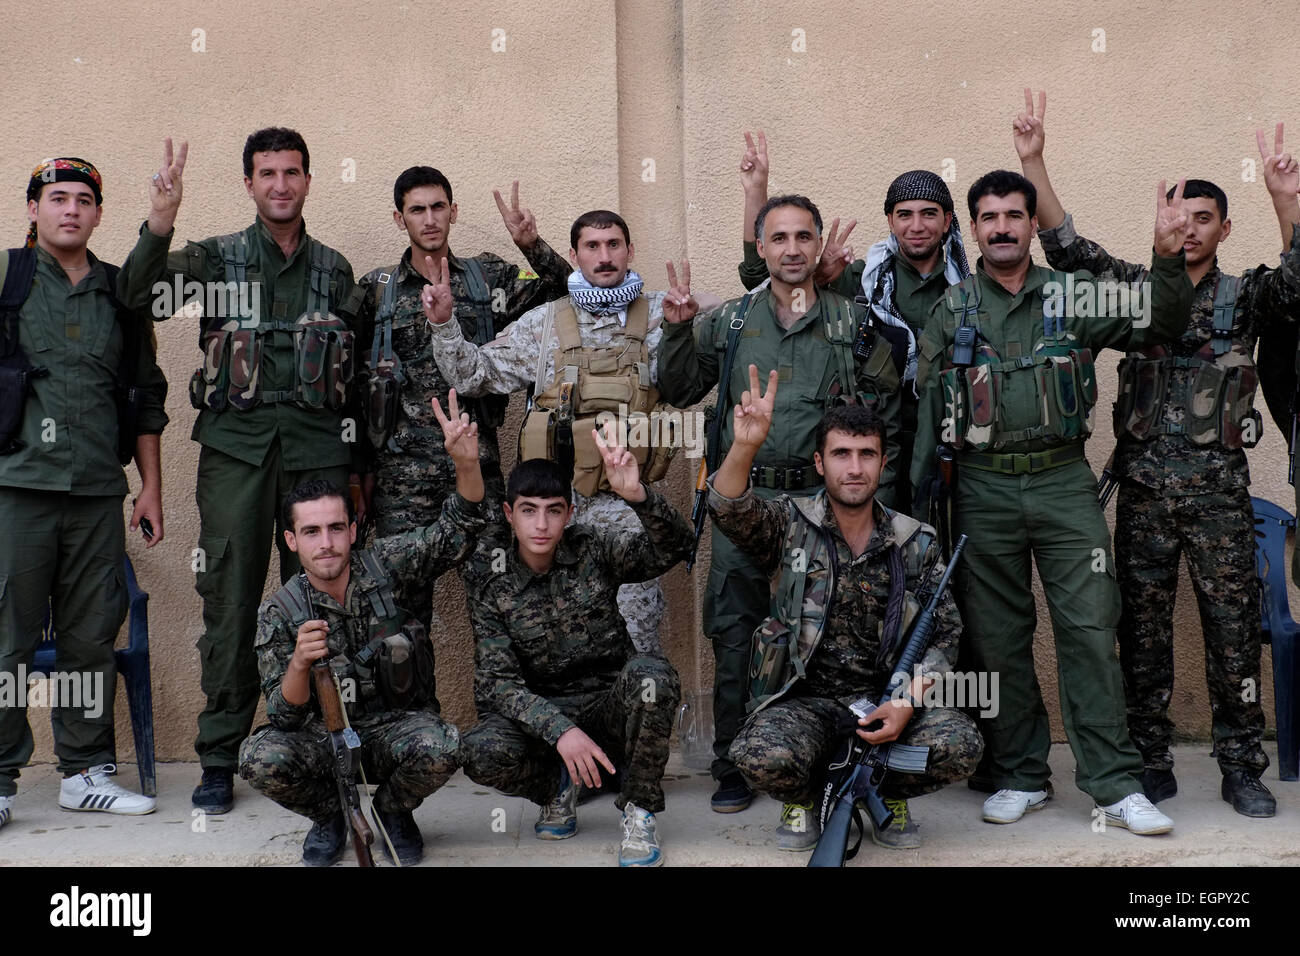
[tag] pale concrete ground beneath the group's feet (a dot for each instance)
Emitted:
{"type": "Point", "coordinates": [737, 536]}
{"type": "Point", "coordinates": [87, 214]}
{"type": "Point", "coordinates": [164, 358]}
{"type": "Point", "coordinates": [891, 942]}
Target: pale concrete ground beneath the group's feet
{"type": "Point", "coordinates": [469, 825]}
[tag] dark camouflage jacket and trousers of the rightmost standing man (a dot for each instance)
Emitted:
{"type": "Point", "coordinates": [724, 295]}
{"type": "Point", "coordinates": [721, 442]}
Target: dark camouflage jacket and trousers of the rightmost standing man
{"type": "Point", "coordinates": [1176, 498]}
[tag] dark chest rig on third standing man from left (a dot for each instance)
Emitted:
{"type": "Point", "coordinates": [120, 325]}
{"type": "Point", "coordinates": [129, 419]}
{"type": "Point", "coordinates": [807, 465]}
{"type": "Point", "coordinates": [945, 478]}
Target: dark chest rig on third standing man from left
{"type": "Point", "coordinates": [384, 403]}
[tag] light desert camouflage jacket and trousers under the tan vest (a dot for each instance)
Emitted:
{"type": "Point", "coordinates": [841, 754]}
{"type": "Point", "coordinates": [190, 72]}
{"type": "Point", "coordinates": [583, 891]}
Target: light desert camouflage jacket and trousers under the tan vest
{"type": "Point", "coordinates": [517, 360]}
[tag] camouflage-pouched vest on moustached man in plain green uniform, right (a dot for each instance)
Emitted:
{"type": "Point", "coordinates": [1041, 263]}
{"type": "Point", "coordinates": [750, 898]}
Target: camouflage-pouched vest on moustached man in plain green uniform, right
{"type": "Point", "coordinates": [974, 377]}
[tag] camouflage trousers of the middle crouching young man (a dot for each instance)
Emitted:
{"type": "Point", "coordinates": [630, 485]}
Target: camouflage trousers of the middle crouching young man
{"type": "Point", "coordinates": [631, 723]}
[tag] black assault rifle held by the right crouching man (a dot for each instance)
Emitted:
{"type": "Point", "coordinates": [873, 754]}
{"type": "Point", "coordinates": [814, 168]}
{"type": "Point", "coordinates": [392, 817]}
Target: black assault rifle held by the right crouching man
{"type": "Point", "coordinates": [859, 778]}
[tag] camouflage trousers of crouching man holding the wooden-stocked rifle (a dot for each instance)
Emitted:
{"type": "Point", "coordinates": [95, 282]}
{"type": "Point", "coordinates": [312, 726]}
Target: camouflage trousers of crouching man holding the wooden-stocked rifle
{"type": "Point", "coordinates": [410, 755]}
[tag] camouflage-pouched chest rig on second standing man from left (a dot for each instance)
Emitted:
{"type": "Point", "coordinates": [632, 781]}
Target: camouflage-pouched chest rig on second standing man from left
{"type": "Point", "coordinates": [233, 345]}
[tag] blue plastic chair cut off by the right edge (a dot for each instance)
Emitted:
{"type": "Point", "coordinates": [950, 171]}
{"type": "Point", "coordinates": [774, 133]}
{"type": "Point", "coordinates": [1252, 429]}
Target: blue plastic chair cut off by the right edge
{"type": "Point", "coordinates": [1277, 628]}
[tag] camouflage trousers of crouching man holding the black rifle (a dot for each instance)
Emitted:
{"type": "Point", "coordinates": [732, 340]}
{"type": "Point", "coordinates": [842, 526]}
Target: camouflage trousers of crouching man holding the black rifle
{"type": "Point", "coordinates": [783, 749]}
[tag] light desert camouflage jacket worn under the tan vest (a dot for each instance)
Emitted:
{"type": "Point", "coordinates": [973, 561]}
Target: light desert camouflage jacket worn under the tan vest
{"type": "Point", "coordinates": [517, 358]}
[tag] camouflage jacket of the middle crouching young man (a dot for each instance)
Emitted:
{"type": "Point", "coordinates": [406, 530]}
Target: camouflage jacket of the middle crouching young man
{"type": "Point", "coordinates": [560, 634]}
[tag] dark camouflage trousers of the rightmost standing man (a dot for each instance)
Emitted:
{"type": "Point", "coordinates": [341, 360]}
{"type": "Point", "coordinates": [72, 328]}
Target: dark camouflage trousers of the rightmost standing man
{"type": "Point", "coordinates": [1217, 534]}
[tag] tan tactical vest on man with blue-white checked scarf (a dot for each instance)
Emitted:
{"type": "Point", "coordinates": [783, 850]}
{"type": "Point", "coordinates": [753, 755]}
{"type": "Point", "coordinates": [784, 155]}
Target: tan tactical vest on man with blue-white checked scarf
{"type": "Point", "coordinates": [588, 382]}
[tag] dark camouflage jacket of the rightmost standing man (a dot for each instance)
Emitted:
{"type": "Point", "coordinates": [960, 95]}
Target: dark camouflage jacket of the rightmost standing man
{"type": "Point", "coordinates": [1171, 464]}
